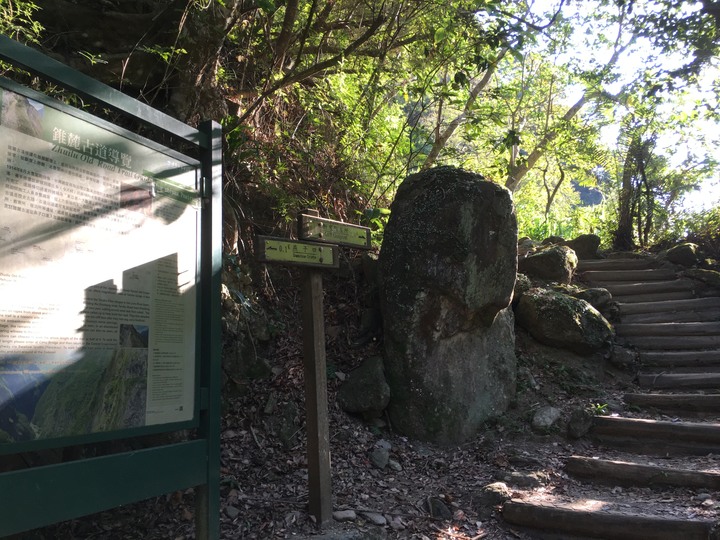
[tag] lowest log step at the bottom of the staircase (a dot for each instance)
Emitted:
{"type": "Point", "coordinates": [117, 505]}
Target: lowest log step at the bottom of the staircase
{"type": "Point", "coordinates": [596, 523]}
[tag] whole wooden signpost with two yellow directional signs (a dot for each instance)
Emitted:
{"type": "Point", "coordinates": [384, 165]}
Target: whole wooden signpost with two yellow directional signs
{"type": "Point", "coordinates": [314, 254]}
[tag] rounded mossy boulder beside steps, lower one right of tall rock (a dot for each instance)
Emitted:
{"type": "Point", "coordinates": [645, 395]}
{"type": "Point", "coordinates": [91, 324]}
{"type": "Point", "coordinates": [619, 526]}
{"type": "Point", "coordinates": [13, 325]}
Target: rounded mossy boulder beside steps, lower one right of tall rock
{"type": "Point", "coordinates": [562, 321]}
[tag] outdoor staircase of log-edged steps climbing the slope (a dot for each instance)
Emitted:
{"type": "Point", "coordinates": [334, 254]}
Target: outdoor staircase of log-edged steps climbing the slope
{"type": "Point", "coordinates": [665, 447]}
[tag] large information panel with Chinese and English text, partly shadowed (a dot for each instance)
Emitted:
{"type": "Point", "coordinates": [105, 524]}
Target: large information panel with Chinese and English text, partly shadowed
{"type": "Point", "coordinates": [98, 273]}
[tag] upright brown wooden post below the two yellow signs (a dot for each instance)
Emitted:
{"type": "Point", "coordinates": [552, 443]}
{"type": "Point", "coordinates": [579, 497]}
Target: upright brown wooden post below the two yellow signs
{"type": "Point", "coordinates": [318, 438]}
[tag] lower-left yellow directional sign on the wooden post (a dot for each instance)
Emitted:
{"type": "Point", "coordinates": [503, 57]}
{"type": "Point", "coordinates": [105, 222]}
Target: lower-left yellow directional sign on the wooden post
{"type": "Point", "coordinates": [281, 250]}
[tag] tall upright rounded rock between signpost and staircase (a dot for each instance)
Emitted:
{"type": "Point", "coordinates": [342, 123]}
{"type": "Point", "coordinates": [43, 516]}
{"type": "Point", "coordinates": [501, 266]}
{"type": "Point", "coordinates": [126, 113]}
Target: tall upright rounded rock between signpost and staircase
{"type": "Point", "coordinates": [447, 268]}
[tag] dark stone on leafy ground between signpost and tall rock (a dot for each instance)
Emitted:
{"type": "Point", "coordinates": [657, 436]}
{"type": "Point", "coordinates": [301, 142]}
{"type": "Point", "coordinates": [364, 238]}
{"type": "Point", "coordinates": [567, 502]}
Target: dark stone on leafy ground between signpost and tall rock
{"type": "Point", "coordinates": [365, 391]}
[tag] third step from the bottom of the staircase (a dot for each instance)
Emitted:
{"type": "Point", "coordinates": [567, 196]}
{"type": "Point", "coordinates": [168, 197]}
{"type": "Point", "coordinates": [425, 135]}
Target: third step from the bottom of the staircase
{"type": "Point", "coordinates": [655, 437]}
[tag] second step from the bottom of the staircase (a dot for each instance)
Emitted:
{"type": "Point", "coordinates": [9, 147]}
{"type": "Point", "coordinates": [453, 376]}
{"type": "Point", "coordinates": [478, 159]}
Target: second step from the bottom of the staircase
{"type": "Point", "coordinates": [622, 473]}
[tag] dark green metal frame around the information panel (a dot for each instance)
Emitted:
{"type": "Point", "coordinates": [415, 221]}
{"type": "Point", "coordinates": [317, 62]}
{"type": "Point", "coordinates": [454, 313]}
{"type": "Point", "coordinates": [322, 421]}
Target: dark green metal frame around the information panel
{"type": "Point", "coordinates": [91, 485]}
